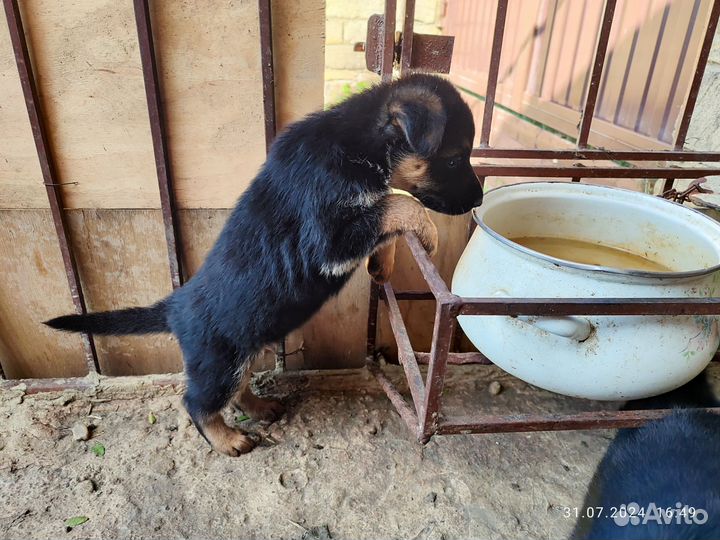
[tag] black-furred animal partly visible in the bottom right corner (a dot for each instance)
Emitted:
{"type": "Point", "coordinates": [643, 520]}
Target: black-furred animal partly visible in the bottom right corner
{"type": "Point", "coordinates": [668, 461]}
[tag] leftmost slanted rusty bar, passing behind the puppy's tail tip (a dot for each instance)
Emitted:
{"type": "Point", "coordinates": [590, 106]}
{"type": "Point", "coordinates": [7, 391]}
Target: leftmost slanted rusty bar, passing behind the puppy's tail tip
{"type": "Point", "coordinates": [47, 166]}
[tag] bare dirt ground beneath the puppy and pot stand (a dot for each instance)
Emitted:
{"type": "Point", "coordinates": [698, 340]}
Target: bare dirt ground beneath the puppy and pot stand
{"type": "Point", "coordinates": [340, 465]}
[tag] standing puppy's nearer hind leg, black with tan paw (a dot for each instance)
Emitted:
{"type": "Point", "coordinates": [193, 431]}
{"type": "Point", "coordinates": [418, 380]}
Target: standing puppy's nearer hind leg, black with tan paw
{"type": "Point", "coordinates": [212, 379]}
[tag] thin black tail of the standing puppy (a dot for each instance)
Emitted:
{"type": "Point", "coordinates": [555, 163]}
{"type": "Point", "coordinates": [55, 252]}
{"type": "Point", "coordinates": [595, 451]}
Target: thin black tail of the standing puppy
{"type": "Point", "coordinates": [146, 320]}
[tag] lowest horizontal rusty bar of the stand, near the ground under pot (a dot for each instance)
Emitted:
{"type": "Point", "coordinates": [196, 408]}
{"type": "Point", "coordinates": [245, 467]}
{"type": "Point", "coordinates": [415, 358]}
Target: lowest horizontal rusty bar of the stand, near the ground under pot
{"type": "Point", "coordinates": [552, 422]}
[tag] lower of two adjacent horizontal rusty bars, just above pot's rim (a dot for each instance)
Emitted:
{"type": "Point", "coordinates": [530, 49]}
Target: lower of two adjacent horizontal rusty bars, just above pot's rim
{"type": "Point", "coordinates": [547, 171]}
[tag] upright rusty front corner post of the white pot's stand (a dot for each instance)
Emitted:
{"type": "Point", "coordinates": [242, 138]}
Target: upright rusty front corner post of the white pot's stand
{"type": "Point", "coordinates": [443, 329]}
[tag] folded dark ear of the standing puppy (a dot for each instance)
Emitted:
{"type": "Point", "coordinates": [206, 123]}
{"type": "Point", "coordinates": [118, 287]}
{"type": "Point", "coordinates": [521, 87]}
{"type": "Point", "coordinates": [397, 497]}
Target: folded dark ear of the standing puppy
{"type": "Point", "coordinates": [417, 114]}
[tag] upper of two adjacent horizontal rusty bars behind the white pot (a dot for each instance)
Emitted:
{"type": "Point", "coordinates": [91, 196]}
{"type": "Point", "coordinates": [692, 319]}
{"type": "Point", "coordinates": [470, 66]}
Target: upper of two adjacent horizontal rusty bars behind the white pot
{"type": "Point", "coordinates": [596, 154]}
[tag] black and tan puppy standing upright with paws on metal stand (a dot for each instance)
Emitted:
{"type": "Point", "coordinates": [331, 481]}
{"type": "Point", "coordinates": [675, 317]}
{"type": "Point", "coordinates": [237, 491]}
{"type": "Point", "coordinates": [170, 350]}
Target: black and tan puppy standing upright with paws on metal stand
{"type": "Point", "coordinates": [320, 205]}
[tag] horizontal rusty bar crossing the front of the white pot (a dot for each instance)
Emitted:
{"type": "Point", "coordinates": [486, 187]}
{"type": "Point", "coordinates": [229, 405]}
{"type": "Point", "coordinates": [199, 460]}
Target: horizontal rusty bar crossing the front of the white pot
{"type": "Point", "coordinates": [513, 307]}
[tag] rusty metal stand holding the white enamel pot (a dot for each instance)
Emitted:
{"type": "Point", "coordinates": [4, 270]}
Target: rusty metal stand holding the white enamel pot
{"type": "Point", "coordinates": [424, 416]}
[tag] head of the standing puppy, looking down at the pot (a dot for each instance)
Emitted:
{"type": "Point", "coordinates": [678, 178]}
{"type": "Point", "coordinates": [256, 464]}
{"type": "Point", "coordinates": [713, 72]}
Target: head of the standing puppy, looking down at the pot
{"type": "Point", "coordinates": [431, 131]}
